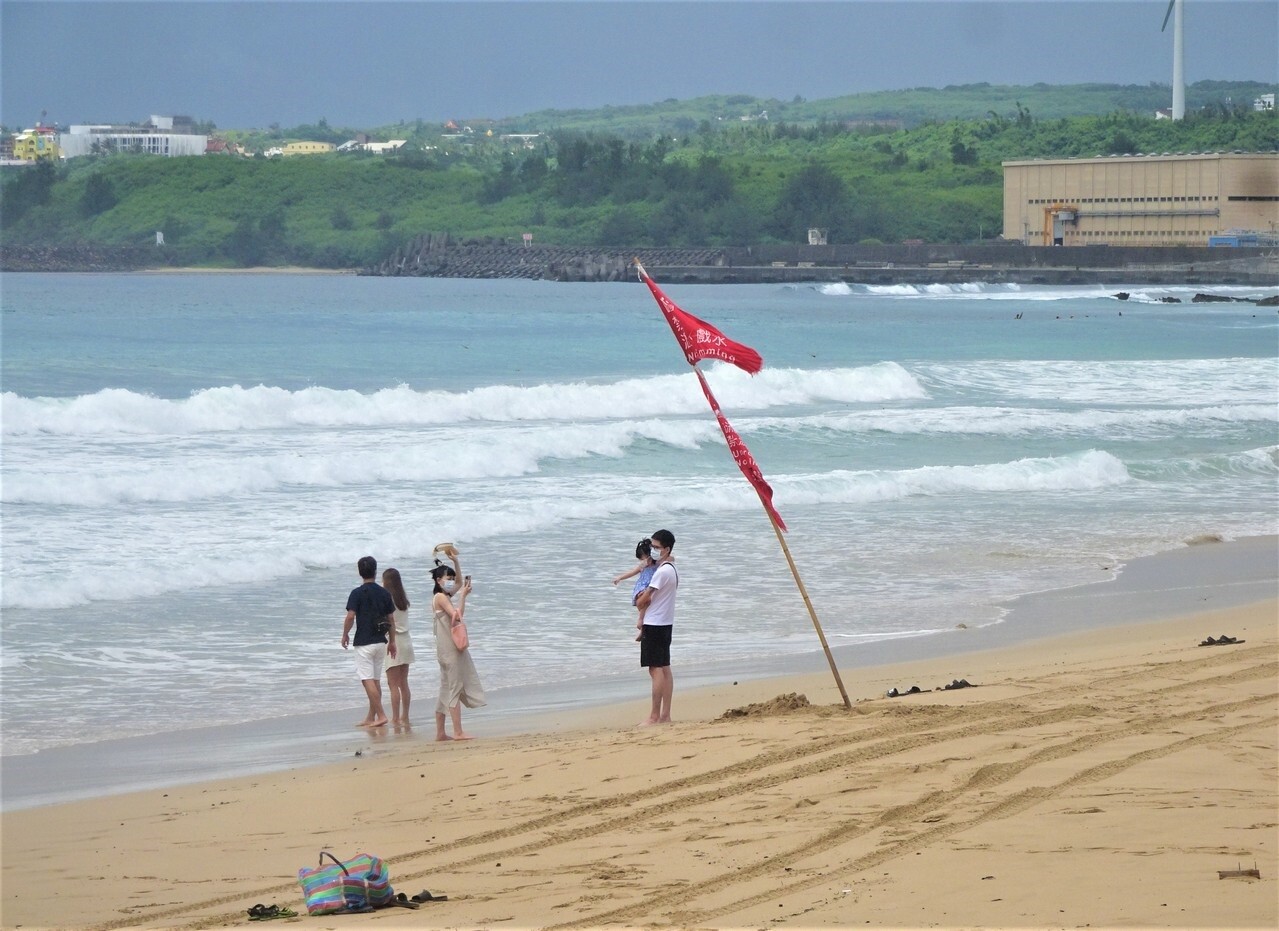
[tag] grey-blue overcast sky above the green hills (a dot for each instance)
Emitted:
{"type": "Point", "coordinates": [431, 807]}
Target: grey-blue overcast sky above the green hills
{"type": "Point", "coordinates": [368, 63]}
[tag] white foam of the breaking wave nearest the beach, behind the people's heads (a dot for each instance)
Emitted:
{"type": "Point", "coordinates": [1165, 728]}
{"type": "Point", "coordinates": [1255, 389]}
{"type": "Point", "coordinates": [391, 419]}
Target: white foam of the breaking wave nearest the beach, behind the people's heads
{"type": "Point", "coordinates": [222, 547]}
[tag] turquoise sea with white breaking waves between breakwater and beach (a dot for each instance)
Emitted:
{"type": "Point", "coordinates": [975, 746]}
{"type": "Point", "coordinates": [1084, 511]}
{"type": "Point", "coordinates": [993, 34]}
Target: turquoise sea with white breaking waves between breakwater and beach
{"type": "Point", "coordinates": [194, 464]}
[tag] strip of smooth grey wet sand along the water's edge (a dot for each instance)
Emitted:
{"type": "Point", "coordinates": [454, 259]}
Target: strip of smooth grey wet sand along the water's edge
{"type": "Point", "coordinates": [1172, 584]}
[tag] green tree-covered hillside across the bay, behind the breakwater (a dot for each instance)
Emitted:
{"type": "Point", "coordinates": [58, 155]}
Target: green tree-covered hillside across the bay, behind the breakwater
{"type": "Point", "coordinates": [728, 182]}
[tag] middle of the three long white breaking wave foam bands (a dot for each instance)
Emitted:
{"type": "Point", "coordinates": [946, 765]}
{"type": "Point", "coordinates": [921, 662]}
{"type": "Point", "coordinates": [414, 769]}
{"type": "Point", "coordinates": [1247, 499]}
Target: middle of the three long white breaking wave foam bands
{"type": "Point", "coordinates": [63, 471]}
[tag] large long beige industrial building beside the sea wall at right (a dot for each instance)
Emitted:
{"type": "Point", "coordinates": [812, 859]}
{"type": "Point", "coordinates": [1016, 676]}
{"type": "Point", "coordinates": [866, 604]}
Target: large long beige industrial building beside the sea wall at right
{"type": "Point", "coordinates": [1142, 200]}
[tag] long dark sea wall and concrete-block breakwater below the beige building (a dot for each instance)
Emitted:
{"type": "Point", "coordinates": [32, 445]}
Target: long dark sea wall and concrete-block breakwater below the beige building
{"type": "Point", "coordinates": [442, 256]}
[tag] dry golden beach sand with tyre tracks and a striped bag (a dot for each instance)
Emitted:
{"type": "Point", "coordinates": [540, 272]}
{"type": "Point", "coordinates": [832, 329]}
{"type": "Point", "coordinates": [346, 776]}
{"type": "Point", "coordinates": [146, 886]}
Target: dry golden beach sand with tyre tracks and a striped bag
{"type": "Point", "coordinates": [1093, 781]}
